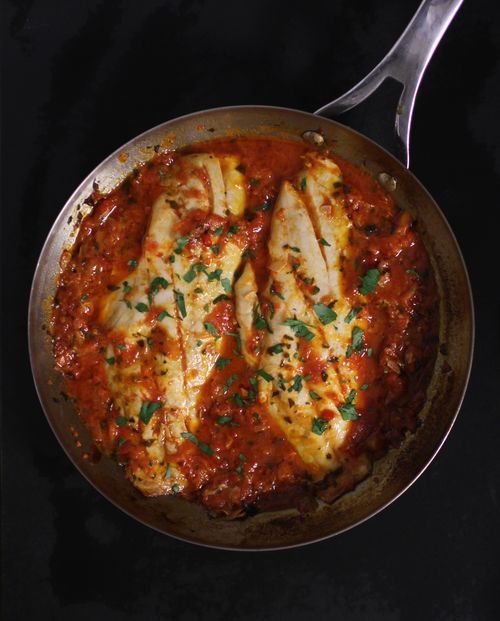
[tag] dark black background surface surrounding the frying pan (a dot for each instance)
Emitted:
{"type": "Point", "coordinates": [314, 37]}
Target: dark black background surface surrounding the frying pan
{"type": "Point", "coordinates": [81, 78]}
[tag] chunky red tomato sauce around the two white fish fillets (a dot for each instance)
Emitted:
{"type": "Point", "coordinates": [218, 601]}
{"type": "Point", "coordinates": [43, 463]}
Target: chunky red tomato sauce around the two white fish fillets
{"type": "Point", "coordinates": [251, 463]}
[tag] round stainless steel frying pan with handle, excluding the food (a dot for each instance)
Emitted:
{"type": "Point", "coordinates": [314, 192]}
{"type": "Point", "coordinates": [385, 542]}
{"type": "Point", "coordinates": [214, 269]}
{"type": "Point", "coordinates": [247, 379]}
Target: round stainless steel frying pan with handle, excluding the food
{"type": "Point", "coordinates": [395, 472]}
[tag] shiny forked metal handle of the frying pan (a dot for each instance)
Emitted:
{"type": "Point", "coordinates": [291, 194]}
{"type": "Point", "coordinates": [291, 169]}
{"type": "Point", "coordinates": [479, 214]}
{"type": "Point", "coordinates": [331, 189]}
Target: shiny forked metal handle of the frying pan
{"type": "Point", "coordinates": [406, 63]}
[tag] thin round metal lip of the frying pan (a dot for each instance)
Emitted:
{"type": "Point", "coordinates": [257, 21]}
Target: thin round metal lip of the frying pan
{"type": "Point", "coordinates": [59, 221]}
